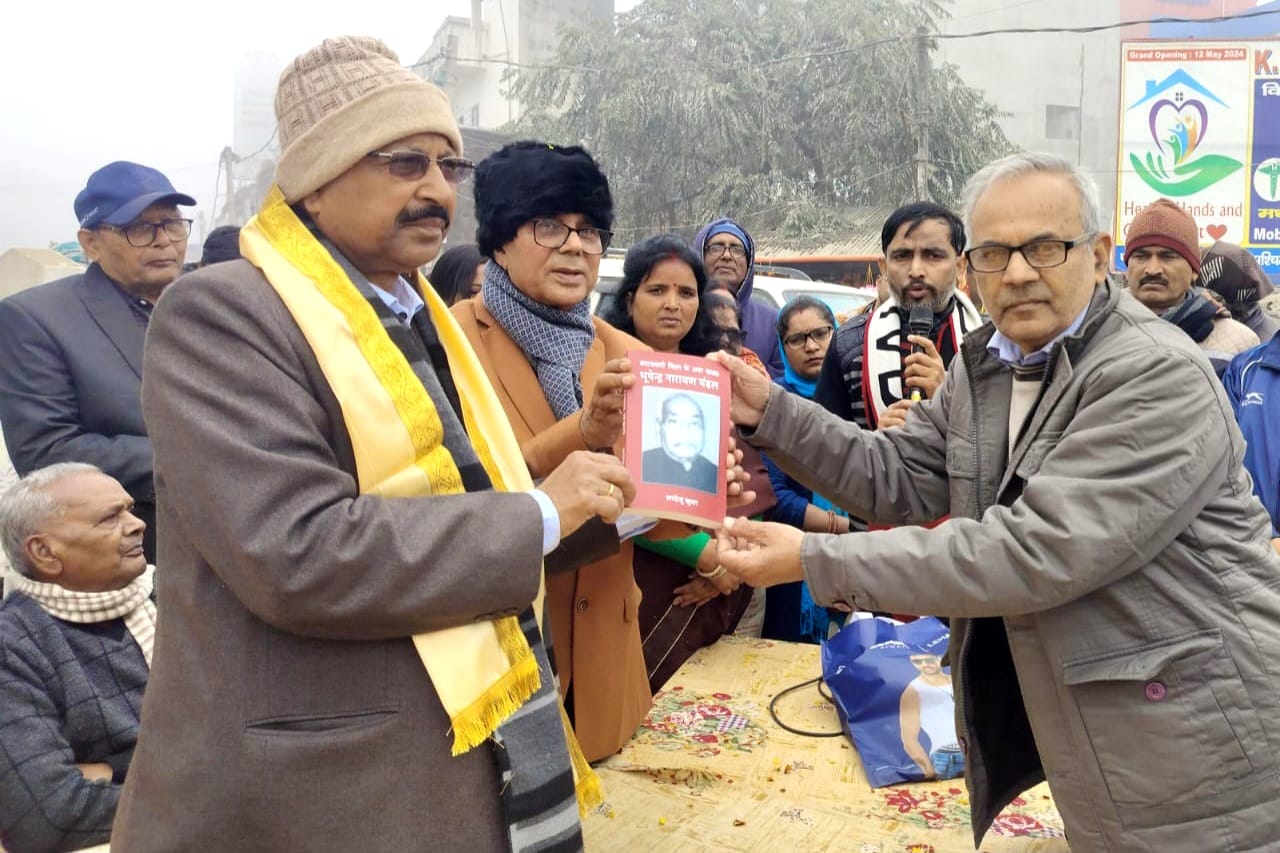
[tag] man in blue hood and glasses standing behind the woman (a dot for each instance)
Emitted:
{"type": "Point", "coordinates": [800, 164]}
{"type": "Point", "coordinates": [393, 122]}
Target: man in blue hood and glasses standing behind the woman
{"type": "Point", "coordinates": [729, 254]}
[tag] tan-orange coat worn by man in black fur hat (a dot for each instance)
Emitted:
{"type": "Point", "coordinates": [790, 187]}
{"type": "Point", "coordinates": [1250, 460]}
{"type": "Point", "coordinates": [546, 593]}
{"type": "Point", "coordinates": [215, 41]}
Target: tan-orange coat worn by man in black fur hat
{"type": "Point", "coordinates": [595, 610]}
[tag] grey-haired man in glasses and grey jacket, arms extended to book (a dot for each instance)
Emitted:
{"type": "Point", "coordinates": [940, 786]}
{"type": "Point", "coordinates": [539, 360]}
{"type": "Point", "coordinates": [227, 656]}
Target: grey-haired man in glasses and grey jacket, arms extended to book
{"type": "Point", "coordinates": [1108, 572]}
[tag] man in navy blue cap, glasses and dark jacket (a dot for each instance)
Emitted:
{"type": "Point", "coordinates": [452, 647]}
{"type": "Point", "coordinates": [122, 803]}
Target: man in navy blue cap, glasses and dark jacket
{"type": "Point", "coordinates": [71, 352]}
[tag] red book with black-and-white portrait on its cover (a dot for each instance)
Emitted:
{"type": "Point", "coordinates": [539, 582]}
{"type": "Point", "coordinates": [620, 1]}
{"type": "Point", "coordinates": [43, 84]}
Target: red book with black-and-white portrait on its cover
{"type": "Point", "coordinates": [676, 436]}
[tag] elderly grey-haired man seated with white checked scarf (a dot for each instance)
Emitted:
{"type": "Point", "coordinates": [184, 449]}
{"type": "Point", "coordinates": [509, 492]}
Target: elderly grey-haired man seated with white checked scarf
{"type": "Point", "coordinates": [76, 636]}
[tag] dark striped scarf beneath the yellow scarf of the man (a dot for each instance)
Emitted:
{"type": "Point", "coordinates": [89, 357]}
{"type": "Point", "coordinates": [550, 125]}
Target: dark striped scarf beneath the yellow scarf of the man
{"type": "Point", "coordinates": [538, 797]}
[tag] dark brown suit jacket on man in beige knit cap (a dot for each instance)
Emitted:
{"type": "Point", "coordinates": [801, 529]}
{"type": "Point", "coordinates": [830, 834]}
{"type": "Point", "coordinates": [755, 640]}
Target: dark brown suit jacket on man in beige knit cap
{"type": "Point", "coordinates": [287, 709]}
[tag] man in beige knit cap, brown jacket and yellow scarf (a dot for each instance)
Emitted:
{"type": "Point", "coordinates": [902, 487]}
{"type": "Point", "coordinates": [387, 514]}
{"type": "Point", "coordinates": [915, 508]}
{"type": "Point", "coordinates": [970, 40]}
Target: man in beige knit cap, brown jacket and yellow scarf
{"type": "Point", "coordinates": [351, 658]}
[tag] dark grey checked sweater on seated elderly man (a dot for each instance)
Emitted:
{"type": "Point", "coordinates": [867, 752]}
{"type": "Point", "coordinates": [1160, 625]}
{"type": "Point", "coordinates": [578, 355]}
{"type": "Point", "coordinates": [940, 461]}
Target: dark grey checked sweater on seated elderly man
{"type": "Point", "coordinates": [70, 695]}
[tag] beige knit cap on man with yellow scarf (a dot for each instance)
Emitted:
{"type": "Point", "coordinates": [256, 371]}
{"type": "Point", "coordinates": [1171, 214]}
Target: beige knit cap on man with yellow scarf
{"type": "Point", "coordinates": [344, 99]}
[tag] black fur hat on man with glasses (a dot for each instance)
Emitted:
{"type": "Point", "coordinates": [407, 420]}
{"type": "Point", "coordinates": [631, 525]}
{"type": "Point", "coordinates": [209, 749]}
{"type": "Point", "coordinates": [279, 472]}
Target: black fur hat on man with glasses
{"type": "Point", "coordinates": [528, 180]}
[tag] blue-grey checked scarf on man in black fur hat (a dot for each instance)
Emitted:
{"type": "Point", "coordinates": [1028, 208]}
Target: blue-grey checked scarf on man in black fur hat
{"type": "Point", "coordinates": [556, 341]}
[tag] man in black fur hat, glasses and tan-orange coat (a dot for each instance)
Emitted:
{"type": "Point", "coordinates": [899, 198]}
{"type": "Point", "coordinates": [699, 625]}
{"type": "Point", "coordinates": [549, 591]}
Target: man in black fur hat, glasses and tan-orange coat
{"type": "Point", "coordinates": [543, 216]}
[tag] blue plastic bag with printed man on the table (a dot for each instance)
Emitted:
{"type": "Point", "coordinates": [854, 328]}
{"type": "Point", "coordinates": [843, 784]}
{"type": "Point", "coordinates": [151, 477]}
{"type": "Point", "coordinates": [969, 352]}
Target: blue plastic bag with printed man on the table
{"type": "Point", "coordinates": [894, 699]}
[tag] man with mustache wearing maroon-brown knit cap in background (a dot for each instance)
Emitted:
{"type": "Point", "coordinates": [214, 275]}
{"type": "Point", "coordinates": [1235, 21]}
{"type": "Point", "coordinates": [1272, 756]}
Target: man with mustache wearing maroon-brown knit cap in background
{"type": "Point", "coordinates": [1163, 259]}
